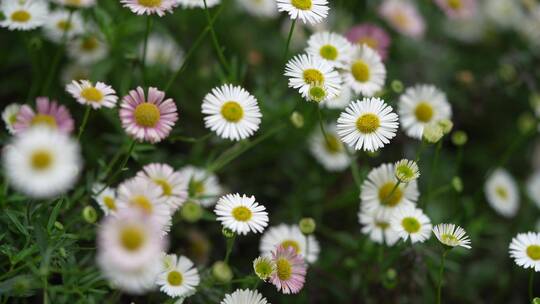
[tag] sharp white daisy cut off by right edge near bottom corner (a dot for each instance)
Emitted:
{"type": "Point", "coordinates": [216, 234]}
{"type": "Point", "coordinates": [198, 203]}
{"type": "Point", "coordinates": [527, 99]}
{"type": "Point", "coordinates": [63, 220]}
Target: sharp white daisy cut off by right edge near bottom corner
{"type": "Point", "coordinates": [525, 249]}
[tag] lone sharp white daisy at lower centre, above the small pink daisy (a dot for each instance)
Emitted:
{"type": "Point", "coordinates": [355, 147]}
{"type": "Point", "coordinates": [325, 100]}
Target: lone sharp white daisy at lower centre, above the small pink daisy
{"type": "Point", "coordinates": [241, 214]}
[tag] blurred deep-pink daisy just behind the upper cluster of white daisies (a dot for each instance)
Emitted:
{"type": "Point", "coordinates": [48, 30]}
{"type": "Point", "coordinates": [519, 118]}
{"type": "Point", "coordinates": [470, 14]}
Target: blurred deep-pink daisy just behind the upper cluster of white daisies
{"type": "Point", "coordinates": [371, 35]}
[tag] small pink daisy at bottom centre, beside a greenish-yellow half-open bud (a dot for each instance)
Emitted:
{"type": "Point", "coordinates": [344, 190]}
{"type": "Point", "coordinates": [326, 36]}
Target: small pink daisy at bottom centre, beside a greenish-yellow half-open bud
{"type": "Point", "coordinates": [290, 272]}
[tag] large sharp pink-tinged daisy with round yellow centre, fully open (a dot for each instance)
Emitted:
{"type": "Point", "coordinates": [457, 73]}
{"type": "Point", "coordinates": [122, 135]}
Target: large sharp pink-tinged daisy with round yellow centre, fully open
{"type": "Point", "coordinates": [149, 119]}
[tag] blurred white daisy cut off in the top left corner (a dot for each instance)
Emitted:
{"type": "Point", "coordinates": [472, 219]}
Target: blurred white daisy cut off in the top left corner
{"type": "Point", "coordinates": [24, 15]}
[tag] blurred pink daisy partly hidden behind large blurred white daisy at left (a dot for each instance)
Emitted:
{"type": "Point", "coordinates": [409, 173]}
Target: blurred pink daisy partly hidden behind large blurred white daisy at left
{"type": "Point", "coordinates": [49, 113]}
